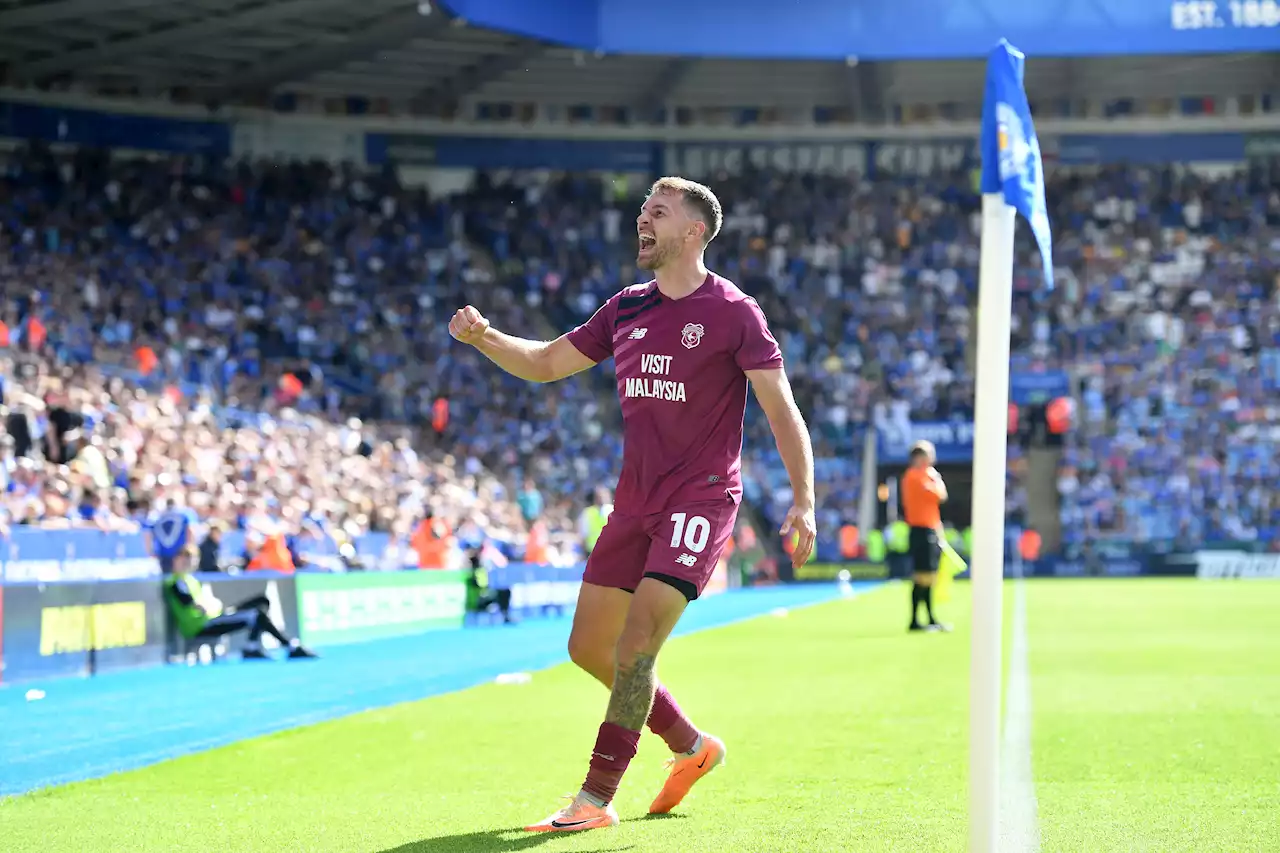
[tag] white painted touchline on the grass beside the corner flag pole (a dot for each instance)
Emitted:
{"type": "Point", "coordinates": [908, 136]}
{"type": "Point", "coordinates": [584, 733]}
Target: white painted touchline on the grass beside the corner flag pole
{"type": "Point", "coordinates": [1020, 827]}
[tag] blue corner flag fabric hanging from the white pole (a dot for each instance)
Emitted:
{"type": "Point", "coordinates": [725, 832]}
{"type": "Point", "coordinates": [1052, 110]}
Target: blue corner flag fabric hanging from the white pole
{"type": "Point", "coordinates": [1011, 152]}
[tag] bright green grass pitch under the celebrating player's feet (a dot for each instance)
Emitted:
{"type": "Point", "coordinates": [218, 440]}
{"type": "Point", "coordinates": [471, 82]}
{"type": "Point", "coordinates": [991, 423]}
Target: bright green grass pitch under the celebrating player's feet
{"type": "Point", "coordinates": [1156, 728]}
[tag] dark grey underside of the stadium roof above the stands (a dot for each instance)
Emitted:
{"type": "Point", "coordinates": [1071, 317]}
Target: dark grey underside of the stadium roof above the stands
{"type": "Point", "coordinates": [237, 51]}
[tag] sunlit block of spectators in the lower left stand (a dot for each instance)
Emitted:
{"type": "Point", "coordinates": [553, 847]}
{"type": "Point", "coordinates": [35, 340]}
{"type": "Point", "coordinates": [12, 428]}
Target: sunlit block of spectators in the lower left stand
{"type": "Point", "coordinates": [86, 449]}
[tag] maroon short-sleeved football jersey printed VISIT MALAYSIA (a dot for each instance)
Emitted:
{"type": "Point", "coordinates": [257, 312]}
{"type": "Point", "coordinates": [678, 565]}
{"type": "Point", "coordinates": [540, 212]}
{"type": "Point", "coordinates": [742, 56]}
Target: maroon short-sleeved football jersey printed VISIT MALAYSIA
{"type": "Point", "coordinates": [683, 389]}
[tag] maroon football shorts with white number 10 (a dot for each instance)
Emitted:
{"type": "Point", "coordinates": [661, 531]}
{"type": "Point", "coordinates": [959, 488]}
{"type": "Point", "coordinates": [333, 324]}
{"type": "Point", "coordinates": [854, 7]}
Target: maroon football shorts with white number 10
{"type": "Point", "coordinates": [679, 548]}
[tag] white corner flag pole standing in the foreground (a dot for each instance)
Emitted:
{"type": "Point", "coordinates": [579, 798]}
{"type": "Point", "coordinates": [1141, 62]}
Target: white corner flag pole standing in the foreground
{"type": "Point", "coordinates": [988, 563]}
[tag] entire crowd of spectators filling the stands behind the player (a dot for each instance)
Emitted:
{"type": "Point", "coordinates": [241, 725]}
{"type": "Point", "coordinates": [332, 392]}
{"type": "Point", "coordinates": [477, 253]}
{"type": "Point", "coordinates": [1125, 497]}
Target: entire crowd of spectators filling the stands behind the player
{"type": "Point", "coordinates": [271, 340]}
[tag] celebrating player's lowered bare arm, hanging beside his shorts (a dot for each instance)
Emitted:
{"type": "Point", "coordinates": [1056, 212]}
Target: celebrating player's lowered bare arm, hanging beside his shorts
{"type": "Point", "coordinates": [774, 390]}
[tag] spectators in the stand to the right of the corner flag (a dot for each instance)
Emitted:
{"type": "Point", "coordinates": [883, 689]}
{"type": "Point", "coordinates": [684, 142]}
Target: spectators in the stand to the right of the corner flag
{"type": "Point", "coordinates": [1169, 317]}
